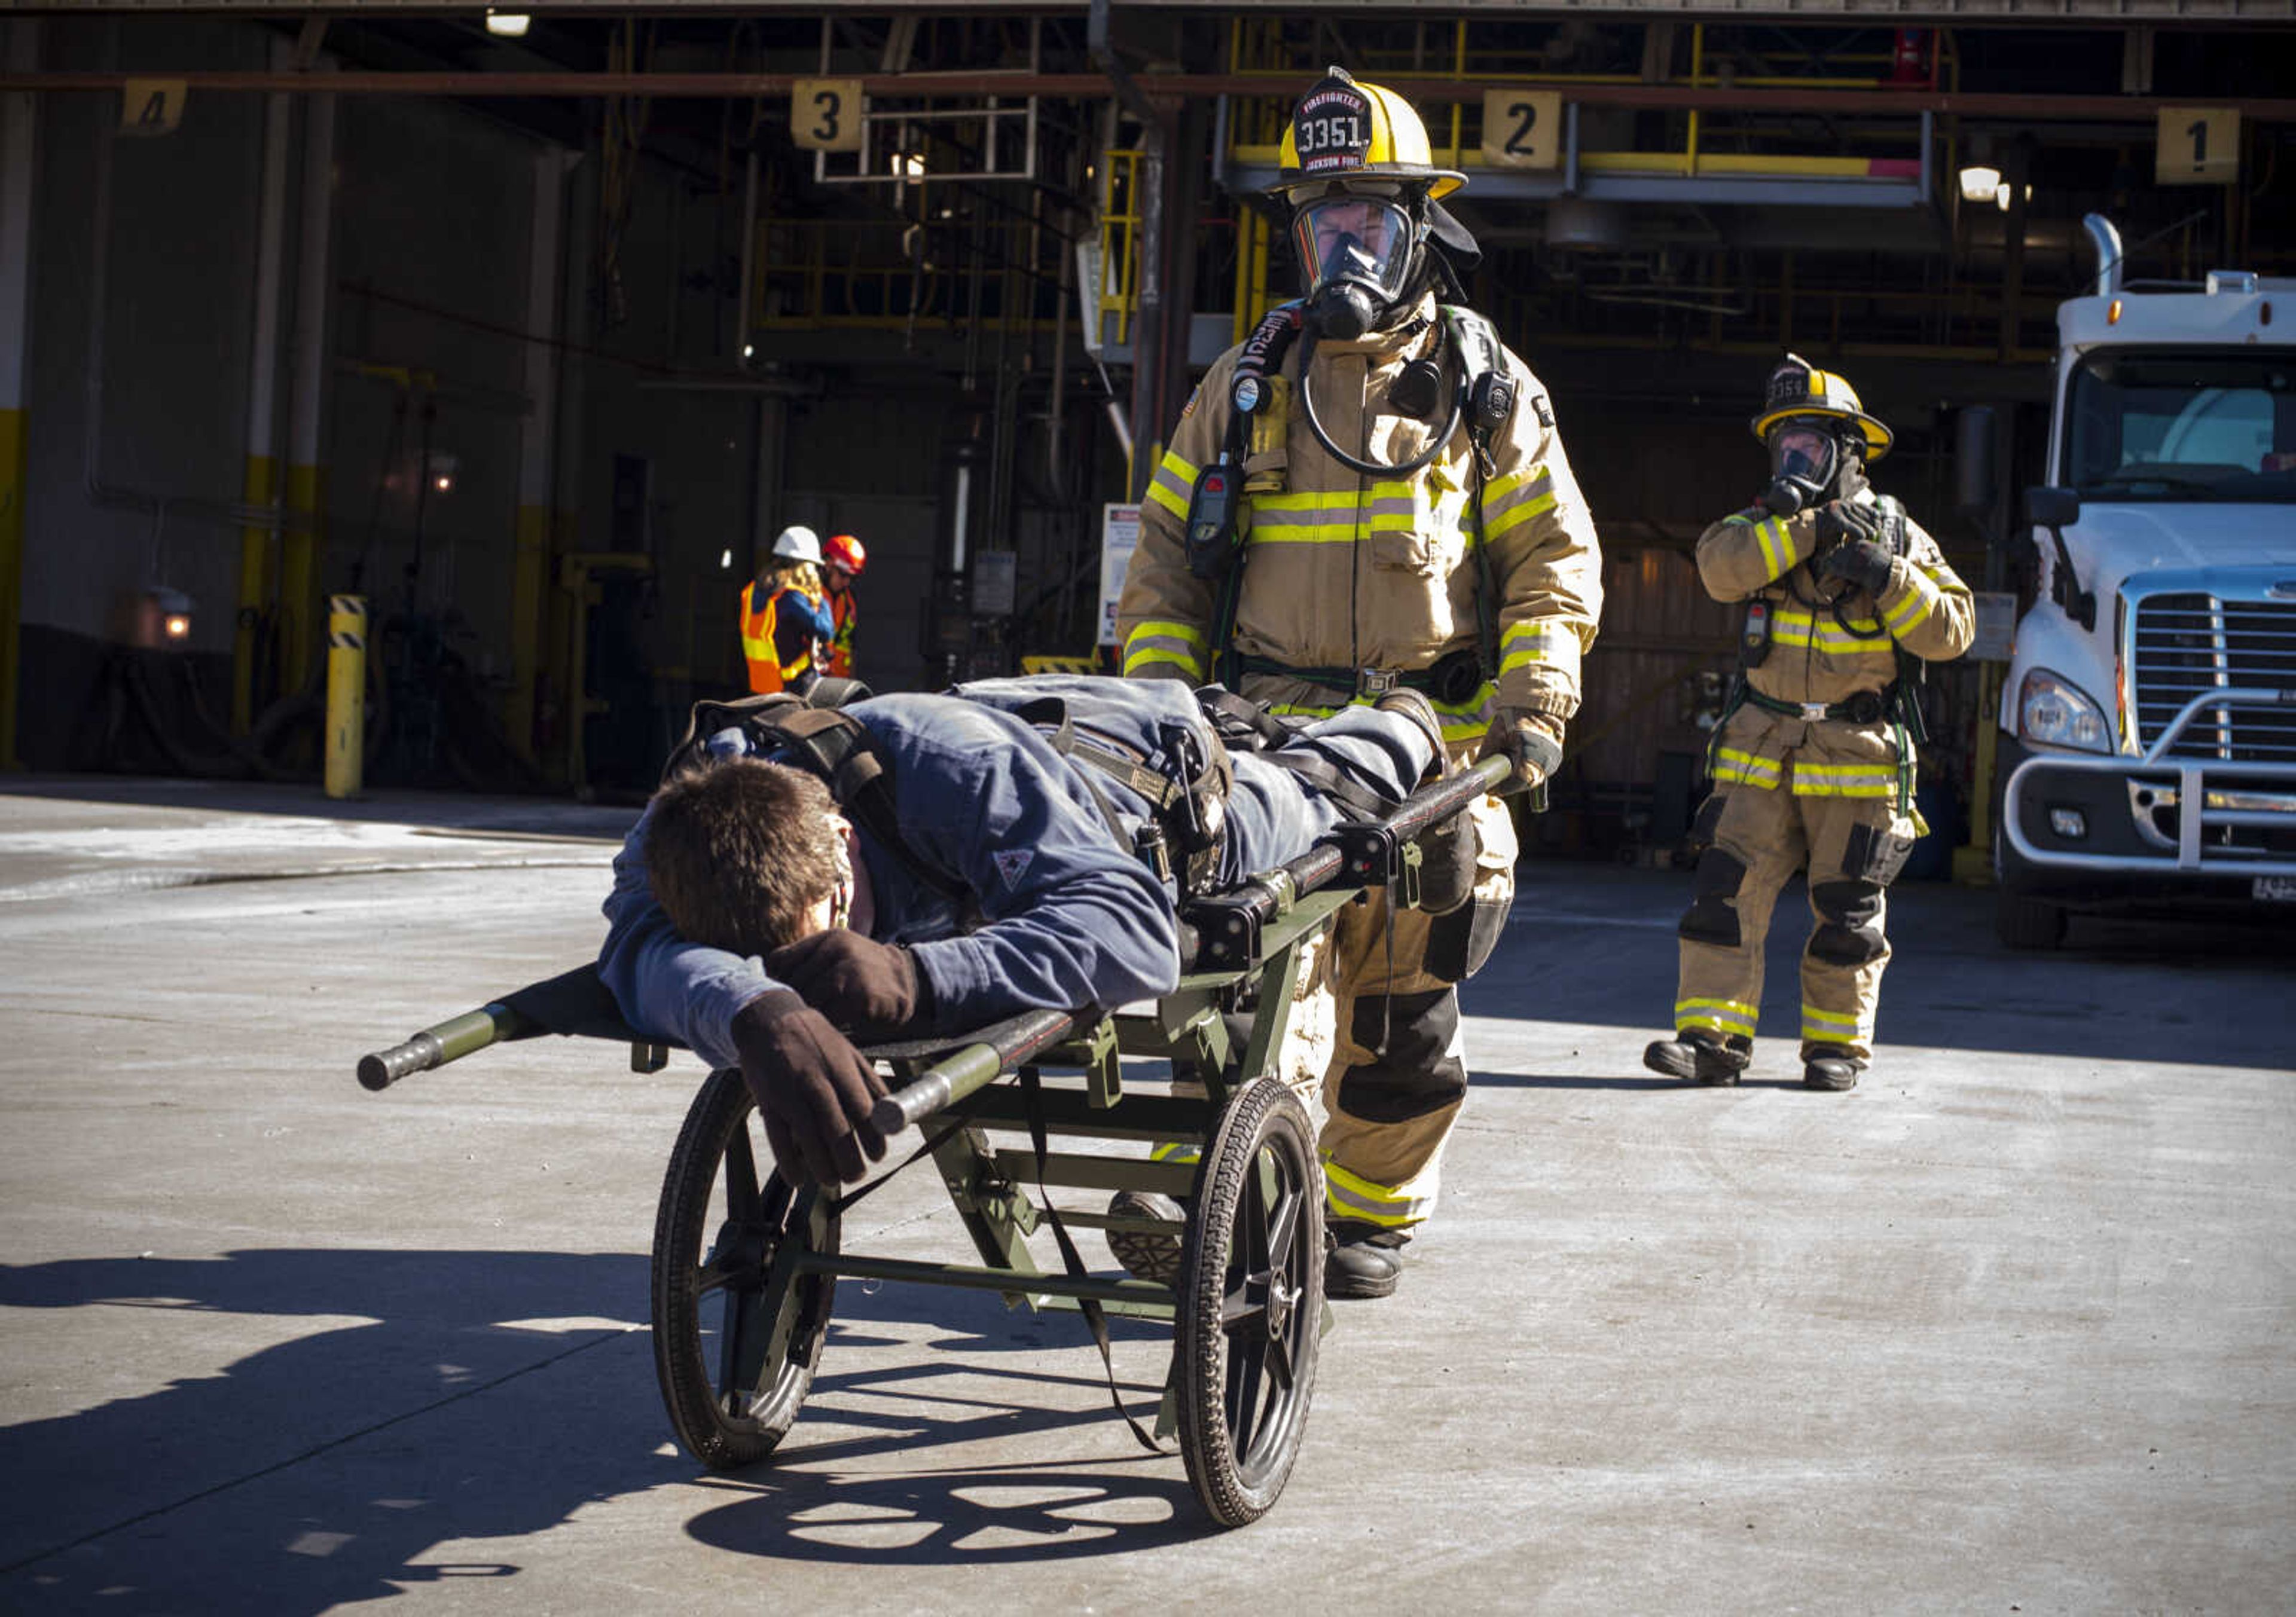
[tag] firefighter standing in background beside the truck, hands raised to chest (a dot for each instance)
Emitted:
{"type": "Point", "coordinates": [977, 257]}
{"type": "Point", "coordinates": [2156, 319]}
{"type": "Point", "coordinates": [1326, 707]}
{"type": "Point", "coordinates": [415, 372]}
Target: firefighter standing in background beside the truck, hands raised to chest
{"type": "Point", "coordinates": [1813, 764]}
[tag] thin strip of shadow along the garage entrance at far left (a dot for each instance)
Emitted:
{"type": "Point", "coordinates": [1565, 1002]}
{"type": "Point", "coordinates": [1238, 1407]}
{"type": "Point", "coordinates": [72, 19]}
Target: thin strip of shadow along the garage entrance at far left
{"type": "Point", "coordinates": [548, 819]}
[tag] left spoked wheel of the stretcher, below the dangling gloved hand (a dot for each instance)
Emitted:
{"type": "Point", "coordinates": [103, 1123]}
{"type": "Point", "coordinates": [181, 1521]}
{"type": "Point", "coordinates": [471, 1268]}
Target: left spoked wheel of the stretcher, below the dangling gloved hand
{"type": "Point", "coordinates": [727, 1239]}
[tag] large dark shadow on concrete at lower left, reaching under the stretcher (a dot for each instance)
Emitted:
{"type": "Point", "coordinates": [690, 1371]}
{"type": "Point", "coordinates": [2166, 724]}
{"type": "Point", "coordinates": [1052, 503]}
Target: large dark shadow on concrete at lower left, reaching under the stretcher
{"type": "Point", "coordinates": [479, 1398]}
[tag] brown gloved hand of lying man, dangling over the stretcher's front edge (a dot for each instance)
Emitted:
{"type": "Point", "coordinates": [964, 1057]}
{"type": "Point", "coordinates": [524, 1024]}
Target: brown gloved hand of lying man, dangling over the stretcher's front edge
{"type": "Point", "coordinates": [814, 1090]}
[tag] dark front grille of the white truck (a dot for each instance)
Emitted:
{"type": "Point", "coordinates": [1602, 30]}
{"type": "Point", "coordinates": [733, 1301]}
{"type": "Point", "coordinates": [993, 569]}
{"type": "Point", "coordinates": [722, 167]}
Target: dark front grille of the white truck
{"type": "Point", "coordinates": [2189, 644]}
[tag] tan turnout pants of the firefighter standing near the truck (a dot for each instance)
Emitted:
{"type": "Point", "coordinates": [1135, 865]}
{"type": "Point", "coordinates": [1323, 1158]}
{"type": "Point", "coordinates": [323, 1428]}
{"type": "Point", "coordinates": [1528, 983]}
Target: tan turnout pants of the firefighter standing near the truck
{"type": "Point", "coordinates": [1758, 837]}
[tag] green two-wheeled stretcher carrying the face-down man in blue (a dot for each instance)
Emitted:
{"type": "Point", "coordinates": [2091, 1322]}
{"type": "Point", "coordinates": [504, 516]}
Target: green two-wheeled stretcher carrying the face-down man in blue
{"type": "Point", "coordinates": [745, 1264]}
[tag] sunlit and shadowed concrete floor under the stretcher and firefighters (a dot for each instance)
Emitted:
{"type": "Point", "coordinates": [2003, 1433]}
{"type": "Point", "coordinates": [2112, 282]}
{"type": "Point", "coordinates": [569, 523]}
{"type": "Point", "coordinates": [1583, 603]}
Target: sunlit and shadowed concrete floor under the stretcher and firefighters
{"type": "Point", "coordinates": [2006, 1329]}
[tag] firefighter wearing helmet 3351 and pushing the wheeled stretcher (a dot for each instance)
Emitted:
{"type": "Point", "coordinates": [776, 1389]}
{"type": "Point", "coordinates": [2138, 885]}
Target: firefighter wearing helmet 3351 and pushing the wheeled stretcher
{"type": "Point", "coordinates": [1363, 502]}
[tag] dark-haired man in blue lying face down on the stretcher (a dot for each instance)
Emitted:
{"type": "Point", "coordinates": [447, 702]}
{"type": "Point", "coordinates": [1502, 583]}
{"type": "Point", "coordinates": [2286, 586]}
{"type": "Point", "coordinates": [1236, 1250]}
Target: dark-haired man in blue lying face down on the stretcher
{"type": "Point", "coordinates": [757, 924]}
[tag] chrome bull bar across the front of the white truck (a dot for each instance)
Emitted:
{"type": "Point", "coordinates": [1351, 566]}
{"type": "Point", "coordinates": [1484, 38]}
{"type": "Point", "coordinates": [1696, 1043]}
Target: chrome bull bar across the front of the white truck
{"type": "Point", "coordinates": [2242, 796]}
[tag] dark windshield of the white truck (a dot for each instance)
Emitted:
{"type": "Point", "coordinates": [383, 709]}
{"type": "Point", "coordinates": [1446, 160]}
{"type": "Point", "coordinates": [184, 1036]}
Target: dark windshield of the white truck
{"type": "Point", "coordinates": [2182, 426]}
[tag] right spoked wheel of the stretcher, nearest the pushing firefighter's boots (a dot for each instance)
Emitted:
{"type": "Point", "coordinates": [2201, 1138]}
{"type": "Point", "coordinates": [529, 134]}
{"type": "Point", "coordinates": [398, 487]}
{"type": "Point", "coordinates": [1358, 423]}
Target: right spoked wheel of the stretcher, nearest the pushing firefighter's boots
{"type": "Point", "coordinates": [1250, 1303]}
